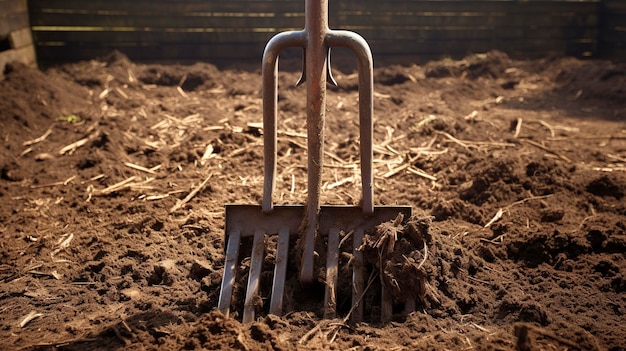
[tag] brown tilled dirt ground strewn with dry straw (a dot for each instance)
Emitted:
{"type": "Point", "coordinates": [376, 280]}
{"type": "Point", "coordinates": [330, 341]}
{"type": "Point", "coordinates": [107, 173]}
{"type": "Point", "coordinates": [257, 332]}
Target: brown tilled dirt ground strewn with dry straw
{"type": "Point", "coordinates": [114, 177]}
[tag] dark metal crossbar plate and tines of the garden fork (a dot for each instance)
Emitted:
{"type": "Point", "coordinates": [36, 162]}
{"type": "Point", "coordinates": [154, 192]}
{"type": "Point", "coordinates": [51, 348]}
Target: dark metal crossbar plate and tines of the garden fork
{"type": "Point", "coordinates": [249, 221]}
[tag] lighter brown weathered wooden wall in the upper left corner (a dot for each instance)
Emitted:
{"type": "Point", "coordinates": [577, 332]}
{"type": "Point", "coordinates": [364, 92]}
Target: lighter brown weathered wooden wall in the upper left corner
{"type": "Point", "coordinates": [16, 42]}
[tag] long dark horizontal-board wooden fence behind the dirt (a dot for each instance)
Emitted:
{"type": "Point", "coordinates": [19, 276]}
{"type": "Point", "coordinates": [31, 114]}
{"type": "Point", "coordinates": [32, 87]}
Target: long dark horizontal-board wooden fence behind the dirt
{"type": "Point", "coordinates": [191, 30]}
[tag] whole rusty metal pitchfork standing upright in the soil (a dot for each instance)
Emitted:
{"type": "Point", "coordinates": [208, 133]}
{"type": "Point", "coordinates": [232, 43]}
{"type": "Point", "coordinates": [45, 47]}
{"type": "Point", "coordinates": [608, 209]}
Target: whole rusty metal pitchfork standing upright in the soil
{"type": "Point", "coordinates": [311, 221]}
